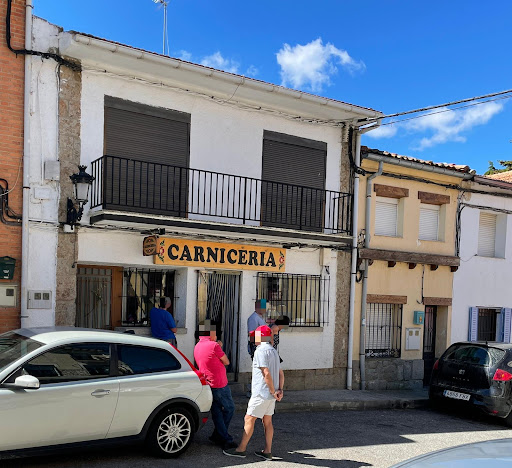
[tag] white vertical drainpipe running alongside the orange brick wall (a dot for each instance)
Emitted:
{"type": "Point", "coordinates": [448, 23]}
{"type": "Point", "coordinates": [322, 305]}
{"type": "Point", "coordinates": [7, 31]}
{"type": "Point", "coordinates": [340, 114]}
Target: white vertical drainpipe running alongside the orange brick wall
{"type": "Point", "coordinates": [26, 165]}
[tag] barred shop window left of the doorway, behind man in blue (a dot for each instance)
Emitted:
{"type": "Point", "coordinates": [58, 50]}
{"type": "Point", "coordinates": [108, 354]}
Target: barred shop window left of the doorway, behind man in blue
{"type": "Point", "coordinates": [142, 289]}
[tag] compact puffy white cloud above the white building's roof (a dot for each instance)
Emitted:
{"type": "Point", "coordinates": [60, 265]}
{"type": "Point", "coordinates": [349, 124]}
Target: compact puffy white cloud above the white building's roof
{"type": "Point", "coordinates": [313, 64]}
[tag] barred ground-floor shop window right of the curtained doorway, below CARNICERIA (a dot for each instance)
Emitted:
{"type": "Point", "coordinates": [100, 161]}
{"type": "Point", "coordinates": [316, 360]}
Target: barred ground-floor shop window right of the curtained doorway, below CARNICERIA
{"type": "Point", "coordinates": [303, 298]}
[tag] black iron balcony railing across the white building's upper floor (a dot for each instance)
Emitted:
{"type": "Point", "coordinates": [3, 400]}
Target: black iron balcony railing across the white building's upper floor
{"type": "Point", "coordinates": [146, 187]}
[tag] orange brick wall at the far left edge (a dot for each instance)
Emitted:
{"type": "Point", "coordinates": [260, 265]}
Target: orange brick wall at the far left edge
{"type": "Point", "coordinates": [11, 144]}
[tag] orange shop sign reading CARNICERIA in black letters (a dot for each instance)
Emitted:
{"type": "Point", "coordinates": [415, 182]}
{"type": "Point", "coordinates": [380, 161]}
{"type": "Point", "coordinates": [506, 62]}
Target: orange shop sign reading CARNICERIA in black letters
{"type": "Point", "coordinates": [193, 253]}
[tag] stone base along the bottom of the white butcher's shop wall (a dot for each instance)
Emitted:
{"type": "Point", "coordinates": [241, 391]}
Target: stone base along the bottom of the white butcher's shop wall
{"type": "Point", "coordinates": [309, 379]}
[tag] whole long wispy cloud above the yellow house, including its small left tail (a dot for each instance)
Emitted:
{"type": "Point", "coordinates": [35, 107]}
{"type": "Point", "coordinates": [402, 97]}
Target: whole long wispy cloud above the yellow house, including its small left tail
{"type": "Point", "coordinates": [442, 125]}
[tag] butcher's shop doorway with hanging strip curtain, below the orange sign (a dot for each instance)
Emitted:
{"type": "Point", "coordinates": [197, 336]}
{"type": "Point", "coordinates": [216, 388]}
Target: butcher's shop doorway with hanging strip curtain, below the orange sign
{"type": "Point", "coordinates": [218, 298]}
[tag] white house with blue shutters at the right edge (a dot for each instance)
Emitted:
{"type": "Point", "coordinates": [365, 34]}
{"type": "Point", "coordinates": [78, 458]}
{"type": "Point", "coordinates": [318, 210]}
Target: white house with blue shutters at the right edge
{"type": "Point", "coordinates": [482, 296]}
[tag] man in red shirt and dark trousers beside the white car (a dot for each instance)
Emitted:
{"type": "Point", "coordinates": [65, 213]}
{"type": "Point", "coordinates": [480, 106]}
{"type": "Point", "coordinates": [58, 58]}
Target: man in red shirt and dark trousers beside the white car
{"type": "Point", "coordinates": [211, 361]}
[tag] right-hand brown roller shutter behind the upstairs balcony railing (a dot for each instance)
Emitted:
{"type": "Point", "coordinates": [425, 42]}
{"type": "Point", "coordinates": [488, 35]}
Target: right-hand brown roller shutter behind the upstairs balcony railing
{"type": "Point", "coordinates": [293, 174]}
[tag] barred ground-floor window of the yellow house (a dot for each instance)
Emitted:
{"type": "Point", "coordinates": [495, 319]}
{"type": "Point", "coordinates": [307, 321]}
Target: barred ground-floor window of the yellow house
{"type": "Point", "coordinates": [383, 330]}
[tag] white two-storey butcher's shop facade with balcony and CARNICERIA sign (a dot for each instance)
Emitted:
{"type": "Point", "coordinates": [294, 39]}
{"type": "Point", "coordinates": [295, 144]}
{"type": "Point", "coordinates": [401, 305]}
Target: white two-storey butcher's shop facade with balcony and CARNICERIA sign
{"type": "Point", "coordinates": [244, 186]}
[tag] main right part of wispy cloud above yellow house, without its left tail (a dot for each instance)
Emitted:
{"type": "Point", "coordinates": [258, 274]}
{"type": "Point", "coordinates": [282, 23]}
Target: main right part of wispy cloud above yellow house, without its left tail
{"type": "Point", "coordinates": [450, 125]}
